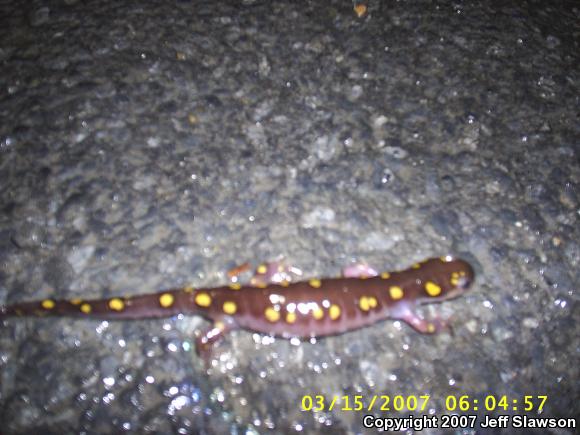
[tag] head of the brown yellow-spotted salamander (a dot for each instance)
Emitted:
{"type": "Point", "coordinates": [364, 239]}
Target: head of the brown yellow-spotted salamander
{"type": "Point", "coordinates": [445, 278]}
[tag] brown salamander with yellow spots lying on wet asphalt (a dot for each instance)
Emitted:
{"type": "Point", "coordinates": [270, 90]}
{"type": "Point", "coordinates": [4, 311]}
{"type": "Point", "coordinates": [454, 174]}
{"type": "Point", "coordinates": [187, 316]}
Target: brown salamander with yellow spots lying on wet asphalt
{"type": "Point", "coordinates": [313, 308]}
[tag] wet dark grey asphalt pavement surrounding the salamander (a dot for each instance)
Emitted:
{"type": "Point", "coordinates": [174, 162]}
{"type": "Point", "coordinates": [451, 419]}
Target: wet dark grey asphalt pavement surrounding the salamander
{"type": "Point", "coordinates": [151, 145]}
